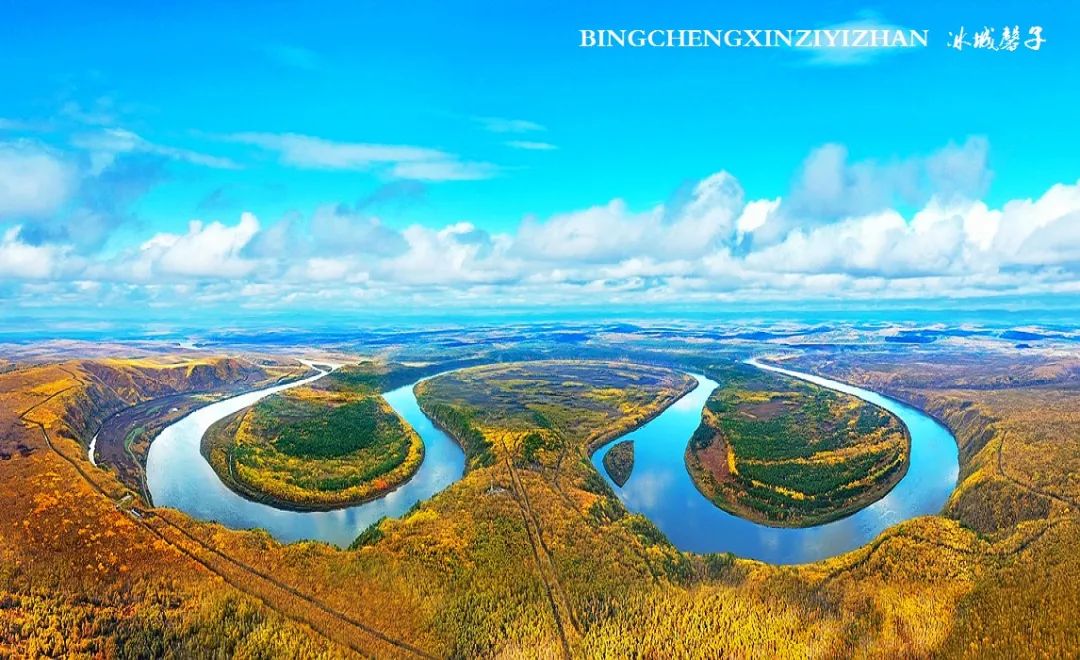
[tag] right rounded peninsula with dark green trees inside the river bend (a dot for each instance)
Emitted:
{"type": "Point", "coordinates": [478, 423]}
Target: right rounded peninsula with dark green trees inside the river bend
{"type": "Point", "coordinates": [784, 452]}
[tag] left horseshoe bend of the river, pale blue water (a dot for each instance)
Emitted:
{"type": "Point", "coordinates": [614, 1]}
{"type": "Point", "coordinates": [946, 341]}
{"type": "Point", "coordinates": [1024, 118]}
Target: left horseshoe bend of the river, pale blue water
{"type": "Point", "coordinates": [181, 478]}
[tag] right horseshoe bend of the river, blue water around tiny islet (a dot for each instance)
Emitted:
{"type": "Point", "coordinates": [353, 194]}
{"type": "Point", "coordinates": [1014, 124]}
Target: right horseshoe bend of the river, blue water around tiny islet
{"type": "Point", "coordinates": [660, 487]}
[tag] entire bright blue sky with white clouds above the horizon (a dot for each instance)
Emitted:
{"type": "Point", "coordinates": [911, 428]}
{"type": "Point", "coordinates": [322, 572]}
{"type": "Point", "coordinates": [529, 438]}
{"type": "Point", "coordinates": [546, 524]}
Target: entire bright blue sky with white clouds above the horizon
{"type": "Point", "coordinates": [357, 155]}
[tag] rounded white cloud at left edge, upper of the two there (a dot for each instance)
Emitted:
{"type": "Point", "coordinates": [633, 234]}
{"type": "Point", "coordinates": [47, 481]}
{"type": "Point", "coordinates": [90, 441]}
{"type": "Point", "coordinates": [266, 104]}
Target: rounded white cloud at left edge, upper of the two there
{"type": "Point", "coordinates": [34, 181]}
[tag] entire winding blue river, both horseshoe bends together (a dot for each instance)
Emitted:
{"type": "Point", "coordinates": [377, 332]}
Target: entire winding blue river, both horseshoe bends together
{"type": "Point", "coordinates": [659, 488]}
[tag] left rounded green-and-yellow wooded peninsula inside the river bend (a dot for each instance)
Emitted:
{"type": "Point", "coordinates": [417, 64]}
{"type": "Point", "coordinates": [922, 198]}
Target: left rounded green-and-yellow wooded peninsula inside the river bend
{"type": "Point", "coordinates": [330, 445]}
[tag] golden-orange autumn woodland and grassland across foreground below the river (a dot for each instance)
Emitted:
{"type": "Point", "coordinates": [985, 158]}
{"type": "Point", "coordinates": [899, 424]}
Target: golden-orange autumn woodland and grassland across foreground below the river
{"type": "Point", "coordinates": [536, 559]}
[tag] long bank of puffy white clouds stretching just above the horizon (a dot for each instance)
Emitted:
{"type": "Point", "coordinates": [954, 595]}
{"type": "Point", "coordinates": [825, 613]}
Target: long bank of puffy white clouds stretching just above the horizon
{"type": "Point", "coordinates": [840, 233]}
